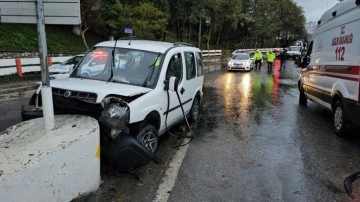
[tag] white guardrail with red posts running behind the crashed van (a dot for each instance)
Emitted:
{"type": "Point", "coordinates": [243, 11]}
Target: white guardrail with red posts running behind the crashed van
{"type": "Point", "coordinates": [23, 65]}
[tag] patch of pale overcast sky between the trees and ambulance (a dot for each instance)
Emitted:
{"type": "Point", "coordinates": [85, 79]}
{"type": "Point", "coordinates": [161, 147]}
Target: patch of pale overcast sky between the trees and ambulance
{"type": "Point", "coordinates": [315, 8]}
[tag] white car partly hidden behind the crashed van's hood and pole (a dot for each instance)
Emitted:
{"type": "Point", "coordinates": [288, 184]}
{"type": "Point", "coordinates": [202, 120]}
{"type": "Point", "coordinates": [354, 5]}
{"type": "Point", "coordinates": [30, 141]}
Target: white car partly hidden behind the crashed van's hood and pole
{"type": "Point", "coordinates": [64, 69]}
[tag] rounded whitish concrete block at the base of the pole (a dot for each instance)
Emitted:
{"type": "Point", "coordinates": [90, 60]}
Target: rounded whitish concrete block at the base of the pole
{"type": "Point", "coordinates": [56, 166]}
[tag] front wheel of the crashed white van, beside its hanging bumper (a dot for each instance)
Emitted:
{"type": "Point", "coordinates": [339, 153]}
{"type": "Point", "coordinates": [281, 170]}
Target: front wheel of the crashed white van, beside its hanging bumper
{"type": "Point", "coordinates": [148, 136]}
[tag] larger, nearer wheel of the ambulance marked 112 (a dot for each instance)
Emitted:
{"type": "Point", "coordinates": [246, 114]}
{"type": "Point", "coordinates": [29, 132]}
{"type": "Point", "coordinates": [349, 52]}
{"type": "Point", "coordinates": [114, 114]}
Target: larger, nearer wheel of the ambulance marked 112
{"type": "Point", "coordinates": [340, 121]}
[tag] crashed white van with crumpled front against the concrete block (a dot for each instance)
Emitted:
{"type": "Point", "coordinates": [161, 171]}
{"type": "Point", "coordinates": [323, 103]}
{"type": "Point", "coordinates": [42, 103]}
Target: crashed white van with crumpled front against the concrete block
{"type": "Point", "coordinates": [147, 87]}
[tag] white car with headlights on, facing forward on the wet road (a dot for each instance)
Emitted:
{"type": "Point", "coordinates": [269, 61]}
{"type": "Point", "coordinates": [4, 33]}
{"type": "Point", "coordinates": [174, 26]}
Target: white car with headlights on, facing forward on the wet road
{"type": "Point", "coordinates": [240, 61]}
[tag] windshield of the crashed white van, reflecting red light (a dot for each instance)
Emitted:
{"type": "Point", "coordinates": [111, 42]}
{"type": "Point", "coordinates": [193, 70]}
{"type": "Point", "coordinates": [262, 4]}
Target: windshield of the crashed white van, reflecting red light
{"type": "Point", "coordinates": [132, 67]}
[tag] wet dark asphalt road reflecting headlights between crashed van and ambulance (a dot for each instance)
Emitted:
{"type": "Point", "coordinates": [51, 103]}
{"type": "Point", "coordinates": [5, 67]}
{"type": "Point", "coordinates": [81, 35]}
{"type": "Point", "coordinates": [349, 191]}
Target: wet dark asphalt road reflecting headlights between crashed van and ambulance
{"type": "Point", "coordinates": [253, 142]}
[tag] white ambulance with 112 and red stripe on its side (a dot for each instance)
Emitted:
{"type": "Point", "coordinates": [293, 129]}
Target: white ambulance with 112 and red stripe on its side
{"type": "Point", "coordinates": [331, 73]}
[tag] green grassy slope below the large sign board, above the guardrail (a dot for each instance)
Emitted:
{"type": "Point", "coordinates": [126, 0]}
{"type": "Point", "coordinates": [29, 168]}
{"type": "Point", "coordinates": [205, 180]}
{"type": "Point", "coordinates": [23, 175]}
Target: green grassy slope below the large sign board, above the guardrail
{"type": "Point", "coordinates": [60, 39]}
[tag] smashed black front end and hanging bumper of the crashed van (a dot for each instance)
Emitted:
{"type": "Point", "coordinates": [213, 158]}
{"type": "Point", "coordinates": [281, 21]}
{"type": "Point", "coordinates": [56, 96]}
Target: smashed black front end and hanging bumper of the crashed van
{"type": "Point", "coordinates": [113, 114]}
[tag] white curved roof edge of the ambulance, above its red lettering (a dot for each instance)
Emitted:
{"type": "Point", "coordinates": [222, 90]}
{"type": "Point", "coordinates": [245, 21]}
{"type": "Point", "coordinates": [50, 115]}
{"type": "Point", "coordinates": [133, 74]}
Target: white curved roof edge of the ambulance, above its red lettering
{"type": "Point", "coordinates": [338, 9]}
